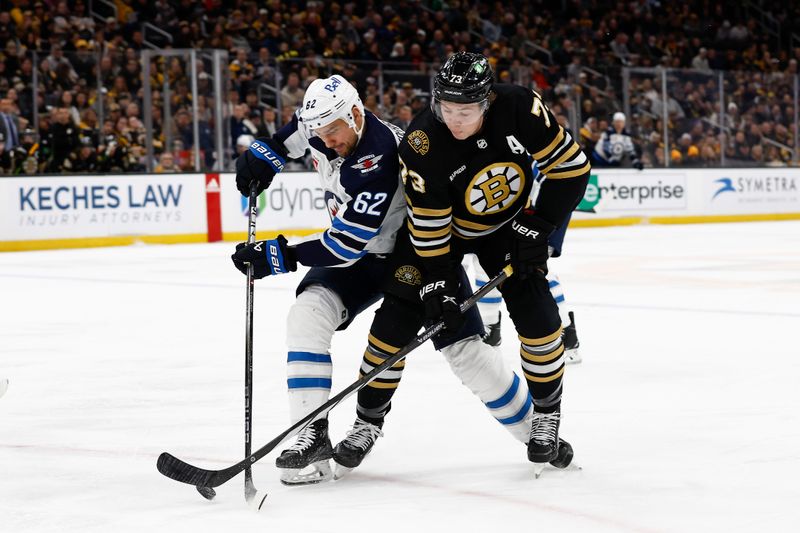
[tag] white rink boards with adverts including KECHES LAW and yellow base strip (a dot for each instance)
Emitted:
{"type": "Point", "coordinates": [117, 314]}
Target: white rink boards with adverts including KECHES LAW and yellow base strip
{"type": "Point", "coordinates": [85, 211]}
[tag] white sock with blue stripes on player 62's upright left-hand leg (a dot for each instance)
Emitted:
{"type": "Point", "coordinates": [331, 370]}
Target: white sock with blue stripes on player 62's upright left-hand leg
{"type": "Point", "coordinates": [311, 323]}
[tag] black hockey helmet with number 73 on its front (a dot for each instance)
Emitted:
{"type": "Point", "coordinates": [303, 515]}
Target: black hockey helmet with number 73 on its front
{"type": "Point", "coordinates": [465, 78]}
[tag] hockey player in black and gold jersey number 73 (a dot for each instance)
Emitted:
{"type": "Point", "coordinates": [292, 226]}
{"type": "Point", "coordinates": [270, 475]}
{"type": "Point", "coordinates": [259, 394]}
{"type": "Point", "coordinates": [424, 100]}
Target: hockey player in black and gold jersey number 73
{"type": "Point", "coordinates": [466, 165]}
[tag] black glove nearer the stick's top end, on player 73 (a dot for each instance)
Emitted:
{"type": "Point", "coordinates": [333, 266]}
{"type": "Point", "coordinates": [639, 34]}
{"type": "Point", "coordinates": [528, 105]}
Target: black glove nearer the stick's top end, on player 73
{"type": "Point", "coordinates": [529, 251]}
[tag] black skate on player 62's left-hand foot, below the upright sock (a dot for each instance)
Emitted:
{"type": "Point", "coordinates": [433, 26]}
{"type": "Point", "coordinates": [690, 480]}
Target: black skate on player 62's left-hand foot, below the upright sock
{"type": "Point", "coordinates": [310, 452]}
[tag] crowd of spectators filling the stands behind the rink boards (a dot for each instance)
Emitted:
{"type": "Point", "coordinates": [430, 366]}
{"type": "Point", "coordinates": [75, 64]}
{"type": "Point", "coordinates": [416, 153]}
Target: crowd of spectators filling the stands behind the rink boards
{"type": "Point", "coordinates": [87, 115]}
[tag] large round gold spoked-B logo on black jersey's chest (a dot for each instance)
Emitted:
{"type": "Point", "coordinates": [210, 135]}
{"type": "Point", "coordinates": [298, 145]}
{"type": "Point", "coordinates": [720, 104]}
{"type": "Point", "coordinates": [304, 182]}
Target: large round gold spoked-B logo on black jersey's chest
{"type": "Point", "coordinates": [494, 188]}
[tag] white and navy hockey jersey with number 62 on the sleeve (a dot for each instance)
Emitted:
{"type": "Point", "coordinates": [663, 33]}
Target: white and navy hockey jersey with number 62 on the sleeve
{"type": "Point", "coordinates": [363, 192]}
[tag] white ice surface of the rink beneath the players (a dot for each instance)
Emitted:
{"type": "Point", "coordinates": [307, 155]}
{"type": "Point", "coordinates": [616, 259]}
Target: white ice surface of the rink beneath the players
{"type": "Point", "coordinates": [684, 413]}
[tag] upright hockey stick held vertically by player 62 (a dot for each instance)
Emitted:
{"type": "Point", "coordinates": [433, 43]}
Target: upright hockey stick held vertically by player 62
{"type": "Point", "coordinates": [250, 492]}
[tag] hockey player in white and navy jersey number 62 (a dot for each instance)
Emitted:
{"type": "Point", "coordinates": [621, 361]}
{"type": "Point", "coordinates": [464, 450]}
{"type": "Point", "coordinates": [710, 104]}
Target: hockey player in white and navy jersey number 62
{"type": "Point", "coordinates": [355, 155]}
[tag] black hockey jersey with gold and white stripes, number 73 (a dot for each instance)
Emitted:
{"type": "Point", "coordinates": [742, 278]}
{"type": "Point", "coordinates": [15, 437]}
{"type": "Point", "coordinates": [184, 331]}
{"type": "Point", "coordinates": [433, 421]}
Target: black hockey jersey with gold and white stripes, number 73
{"type": "Point", "coordinates": [469, 188]}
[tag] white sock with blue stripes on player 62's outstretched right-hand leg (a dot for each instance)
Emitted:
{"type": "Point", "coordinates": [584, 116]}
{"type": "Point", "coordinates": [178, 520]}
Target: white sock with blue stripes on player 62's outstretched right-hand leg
{"type": "Point", "coordinates": [482, 370]}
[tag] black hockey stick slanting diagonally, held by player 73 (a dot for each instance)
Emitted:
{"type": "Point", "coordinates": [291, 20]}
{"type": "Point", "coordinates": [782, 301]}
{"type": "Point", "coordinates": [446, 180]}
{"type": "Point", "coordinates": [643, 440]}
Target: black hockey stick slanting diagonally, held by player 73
{"type": "Point", "coordinates": [176, 469]}
